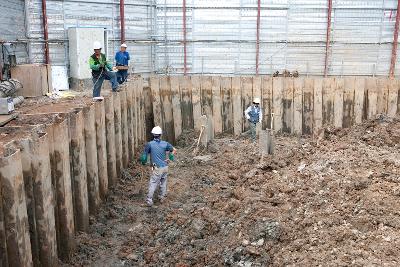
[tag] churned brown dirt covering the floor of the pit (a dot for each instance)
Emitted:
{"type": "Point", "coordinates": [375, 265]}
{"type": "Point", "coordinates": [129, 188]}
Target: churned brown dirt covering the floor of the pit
{"type": "Point", "coordinates": [331, 202]}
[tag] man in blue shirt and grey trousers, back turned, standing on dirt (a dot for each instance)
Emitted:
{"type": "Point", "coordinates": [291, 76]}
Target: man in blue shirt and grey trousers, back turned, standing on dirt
{"type": "Point", "coordinates": [158, 153]}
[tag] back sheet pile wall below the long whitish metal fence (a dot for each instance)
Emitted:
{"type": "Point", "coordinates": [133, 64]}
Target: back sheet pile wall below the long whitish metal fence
{"type": "Point", "coordinates": [300, 105]}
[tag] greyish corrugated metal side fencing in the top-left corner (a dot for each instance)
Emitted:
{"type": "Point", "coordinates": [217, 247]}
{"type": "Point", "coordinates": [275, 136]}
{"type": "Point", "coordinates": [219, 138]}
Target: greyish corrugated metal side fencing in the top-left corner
{"type": "Point", "coordinates": [12, 27]}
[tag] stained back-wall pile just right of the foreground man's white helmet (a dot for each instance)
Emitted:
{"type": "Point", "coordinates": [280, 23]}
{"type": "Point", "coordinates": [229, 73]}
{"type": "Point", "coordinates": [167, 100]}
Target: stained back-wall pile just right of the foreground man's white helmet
{"type": "Point", "coordinates": [167, 117]}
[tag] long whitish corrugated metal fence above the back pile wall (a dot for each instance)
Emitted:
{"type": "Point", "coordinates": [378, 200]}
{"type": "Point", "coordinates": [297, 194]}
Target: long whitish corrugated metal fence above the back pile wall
{"type": "Point", "coordinates": [222, 36]}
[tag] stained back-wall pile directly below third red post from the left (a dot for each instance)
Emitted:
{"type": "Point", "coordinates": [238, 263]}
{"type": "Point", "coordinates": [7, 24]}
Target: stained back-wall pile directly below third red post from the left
{"type": "Point", "coordinates": [186, 102]}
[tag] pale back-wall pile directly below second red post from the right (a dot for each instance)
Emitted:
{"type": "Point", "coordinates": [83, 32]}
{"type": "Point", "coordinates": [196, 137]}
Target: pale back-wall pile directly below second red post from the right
{"type": "Point", "coordinates": [328, 100]}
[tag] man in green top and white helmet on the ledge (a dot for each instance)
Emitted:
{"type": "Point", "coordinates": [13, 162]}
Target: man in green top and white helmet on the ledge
{"type": "Point", "coordinates": [101, 70]}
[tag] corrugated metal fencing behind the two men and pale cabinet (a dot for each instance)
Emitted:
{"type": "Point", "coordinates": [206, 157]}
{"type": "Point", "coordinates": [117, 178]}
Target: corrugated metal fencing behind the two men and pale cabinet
{"type": "Point", "coordinates": [93, 13]}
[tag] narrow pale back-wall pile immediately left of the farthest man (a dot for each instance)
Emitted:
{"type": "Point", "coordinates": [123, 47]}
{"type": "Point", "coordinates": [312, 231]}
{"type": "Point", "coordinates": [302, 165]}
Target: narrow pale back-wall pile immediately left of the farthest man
{"type": "Point", "coordinates": [237, 106]}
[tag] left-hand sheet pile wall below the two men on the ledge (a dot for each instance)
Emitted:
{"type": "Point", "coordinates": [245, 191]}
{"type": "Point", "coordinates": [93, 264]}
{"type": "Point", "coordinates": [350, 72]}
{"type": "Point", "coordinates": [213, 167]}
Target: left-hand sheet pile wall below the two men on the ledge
{"type": "Point", "coordinates": [53, 166]}
